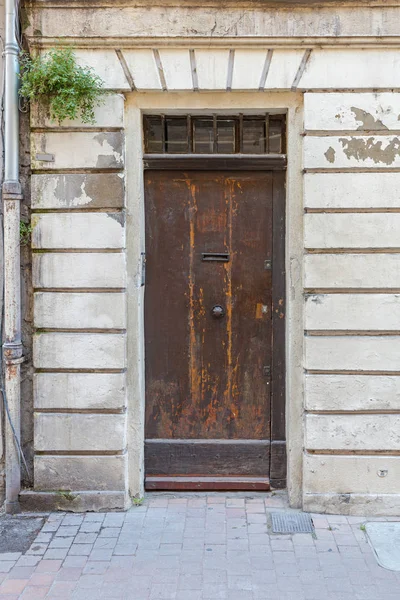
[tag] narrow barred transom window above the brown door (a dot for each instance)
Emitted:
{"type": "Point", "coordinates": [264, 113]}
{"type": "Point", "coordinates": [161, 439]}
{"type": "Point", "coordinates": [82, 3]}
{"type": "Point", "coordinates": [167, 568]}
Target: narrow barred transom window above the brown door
{"type": "Point", "coordinates": [215, 134]}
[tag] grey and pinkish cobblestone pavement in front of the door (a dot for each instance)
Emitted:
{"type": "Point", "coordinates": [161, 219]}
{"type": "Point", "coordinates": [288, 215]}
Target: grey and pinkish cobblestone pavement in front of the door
{"type": "Point", "coordinates": [196, 547]}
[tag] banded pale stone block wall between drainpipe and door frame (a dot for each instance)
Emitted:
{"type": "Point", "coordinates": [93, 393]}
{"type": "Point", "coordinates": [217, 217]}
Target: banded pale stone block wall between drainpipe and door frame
{"type": "Point", "coordinates": [79, 273]}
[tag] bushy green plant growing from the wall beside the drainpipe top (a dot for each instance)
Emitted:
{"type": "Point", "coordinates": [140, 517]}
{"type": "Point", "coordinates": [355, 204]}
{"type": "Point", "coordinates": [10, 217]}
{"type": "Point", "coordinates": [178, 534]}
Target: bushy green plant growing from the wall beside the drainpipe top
{"type": "Point", "coordinates": [58, 83]}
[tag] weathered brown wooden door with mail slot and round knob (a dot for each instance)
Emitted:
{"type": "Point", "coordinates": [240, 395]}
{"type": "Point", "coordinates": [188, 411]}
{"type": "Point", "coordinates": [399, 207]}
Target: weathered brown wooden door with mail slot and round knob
{"type": "Point", "coordinates": [213, 285]}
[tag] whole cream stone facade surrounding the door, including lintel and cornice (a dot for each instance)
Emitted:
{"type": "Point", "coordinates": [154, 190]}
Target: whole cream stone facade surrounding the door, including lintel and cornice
{"type": "Point", "coordinates": [342, 247]}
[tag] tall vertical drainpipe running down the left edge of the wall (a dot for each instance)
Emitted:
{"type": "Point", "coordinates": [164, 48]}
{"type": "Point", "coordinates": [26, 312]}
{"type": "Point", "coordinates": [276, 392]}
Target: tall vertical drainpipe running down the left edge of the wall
{"type": "Point", "coordinates": [12, 196]}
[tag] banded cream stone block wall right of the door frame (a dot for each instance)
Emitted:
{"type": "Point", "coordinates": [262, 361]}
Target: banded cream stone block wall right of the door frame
{"type": "Point", "coordinates": [352, 301]}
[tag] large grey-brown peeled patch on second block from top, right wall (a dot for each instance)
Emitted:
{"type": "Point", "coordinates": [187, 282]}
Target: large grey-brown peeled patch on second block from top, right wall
{"type": "Point", "coordinates": [364, 149]}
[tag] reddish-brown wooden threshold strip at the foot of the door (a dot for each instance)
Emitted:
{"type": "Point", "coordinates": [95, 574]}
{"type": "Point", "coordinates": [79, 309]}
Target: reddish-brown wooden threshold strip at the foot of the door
{"type": "Point", "coordinates": [207, 483]}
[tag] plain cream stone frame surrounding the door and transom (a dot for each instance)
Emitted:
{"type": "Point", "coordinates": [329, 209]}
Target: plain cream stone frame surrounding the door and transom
{"type": "Point", "coordinates": [221, 103]}
